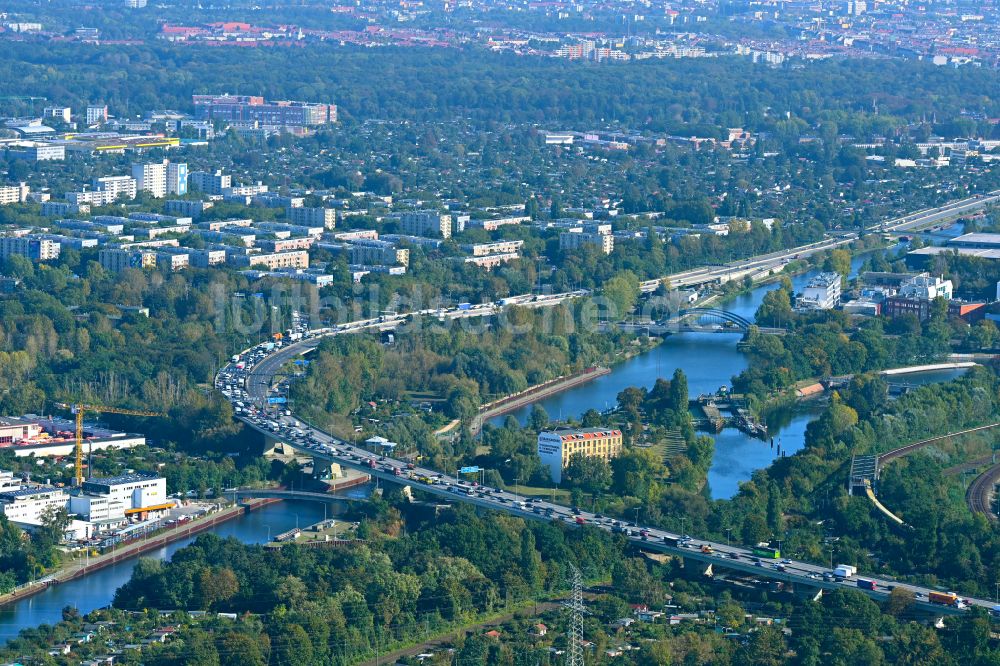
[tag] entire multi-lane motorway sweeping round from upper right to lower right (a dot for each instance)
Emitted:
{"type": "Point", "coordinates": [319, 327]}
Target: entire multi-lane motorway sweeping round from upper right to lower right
{"type": "Point", "coordinates": [249, 380]}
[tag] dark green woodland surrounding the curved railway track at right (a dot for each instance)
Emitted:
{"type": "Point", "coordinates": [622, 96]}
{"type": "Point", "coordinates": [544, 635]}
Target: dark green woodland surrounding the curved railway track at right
{"type": "Point", "coordinates": [802, 499]}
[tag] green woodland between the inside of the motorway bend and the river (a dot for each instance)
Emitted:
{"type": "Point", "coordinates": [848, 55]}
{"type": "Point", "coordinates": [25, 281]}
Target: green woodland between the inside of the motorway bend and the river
{"type": "Point", "coordinates": [448, 370]}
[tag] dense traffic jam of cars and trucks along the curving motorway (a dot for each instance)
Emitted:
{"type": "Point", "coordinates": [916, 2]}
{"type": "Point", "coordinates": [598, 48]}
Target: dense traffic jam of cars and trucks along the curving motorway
{"type": "Point", "coordinates": [259, 408]}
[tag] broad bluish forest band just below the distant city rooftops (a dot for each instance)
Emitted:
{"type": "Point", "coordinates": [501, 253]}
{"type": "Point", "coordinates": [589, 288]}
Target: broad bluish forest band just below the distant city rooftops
{"type": "Point", "coordinates": [416, 84]}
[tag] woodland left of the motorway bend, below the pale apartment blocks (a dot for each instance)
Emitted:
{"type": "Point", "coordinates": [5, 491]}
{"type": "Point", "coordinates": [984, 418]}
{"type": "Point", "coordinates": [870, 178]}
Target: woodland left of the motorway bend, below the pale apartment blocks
{"type": "Point", "coordinates": [77, 337]}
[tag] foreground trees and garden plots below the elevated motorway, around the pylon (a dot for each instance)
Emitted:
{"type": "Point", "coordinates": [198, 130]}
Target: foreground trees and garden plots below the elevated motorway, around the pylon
{"type": "Point", "coordinates": [297, 606]}
